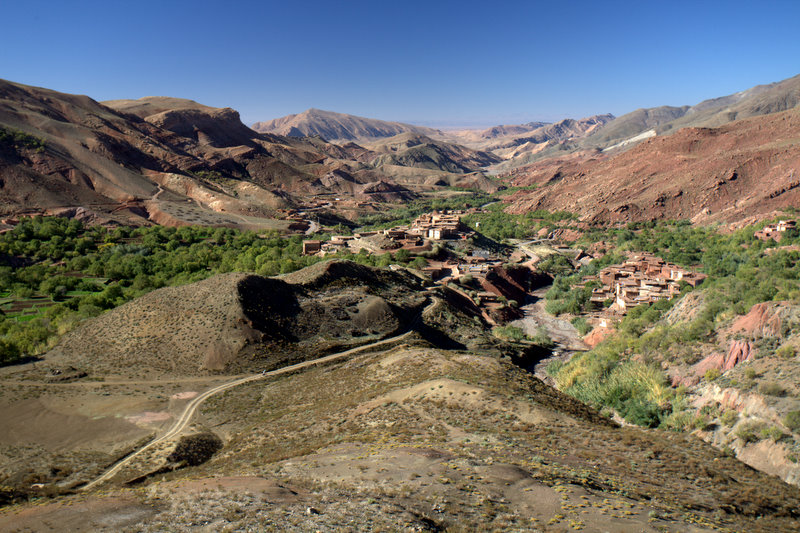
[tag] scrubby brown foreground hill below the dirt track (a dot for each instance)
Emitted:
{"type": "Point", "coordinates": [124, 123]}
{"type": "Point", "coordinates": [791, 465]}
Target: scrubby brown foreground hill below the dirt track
{"type": "Point", "coordinates": [424, 439]}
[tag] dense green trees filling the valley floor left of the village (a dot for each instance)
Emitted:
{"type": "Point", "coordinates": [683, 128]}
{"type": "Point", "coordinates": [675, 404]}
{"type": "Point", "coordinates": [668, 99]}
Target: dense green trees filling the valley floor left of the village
{"type": "Point", "coordinates": [64, 272]}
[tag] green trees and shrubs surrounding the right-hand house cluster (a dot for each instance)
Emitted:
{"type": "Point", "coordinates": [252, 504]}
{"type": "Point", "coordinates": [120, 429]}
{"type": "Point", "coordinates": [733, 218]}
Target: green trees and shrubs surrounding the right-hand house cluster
{"type": "Point", "coordinates": [624, 372]}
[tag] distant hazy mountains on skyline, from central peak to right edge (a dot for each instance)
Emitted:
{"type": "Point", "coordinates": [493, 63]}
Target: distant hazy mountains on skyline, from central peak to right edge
{"type": "Point", "coordinates": [521, 144]}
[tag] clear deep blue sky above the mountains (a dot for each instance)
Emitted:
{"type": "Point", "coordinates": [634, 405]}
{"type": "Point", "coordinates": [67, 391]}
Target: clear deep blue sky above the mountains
{"type": "Point", "coordinates": [441, 63]}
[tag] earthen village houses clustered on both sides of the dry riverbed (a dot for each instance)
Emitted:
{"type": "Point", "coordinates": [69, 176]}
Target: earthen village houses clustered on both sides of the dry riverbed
{"type": "Point", "coordinates": [498, 284]}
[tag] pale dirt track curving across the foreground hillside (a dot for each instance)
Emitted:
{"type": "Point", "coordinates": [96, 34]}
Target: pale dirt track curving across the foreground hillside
{"type": "Point", "coordinates": [183, 421]}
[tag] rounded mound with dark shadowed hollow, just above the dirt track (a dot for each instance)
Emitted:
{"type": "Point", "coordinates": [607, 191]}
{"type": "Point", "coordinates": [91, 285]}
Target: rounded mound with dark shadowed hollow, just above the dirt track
{"type": "Point", "coordinates": [235, 322]}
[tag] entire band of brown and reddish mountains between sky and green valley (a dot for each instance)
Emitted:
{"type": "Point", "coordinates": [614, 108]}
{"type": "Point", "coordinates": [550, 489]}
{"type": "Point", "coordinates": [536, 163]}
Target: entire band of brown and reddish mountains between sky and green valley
{"type": "Point", "coordinates": [175, 161]}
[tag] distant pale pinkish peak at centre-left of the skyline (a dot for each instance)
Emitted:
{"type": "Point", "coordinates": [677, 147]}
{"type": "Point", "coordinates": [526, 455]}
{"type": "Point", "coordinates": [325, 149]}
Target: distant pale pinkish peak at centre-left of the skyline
{"type": "Point", "coordinates": [333, 126]}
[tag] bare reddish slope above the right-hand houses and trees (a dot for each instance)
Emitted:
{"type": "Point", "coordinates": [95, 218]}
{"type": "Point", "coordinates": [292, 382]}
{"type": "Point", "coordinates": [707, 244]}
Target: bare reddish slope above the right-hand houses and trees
{"type": "Point", "coordinates": [740, 170]}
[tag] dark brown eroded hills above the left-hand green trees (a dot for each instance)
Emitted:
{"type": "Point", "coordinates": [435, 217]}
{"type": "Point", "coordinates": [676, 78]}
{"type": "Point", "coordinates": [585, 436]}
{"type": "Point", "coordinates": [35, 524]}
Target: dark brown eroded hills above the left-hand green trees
{"type": "Point", "coordinates": [163, 160]}
